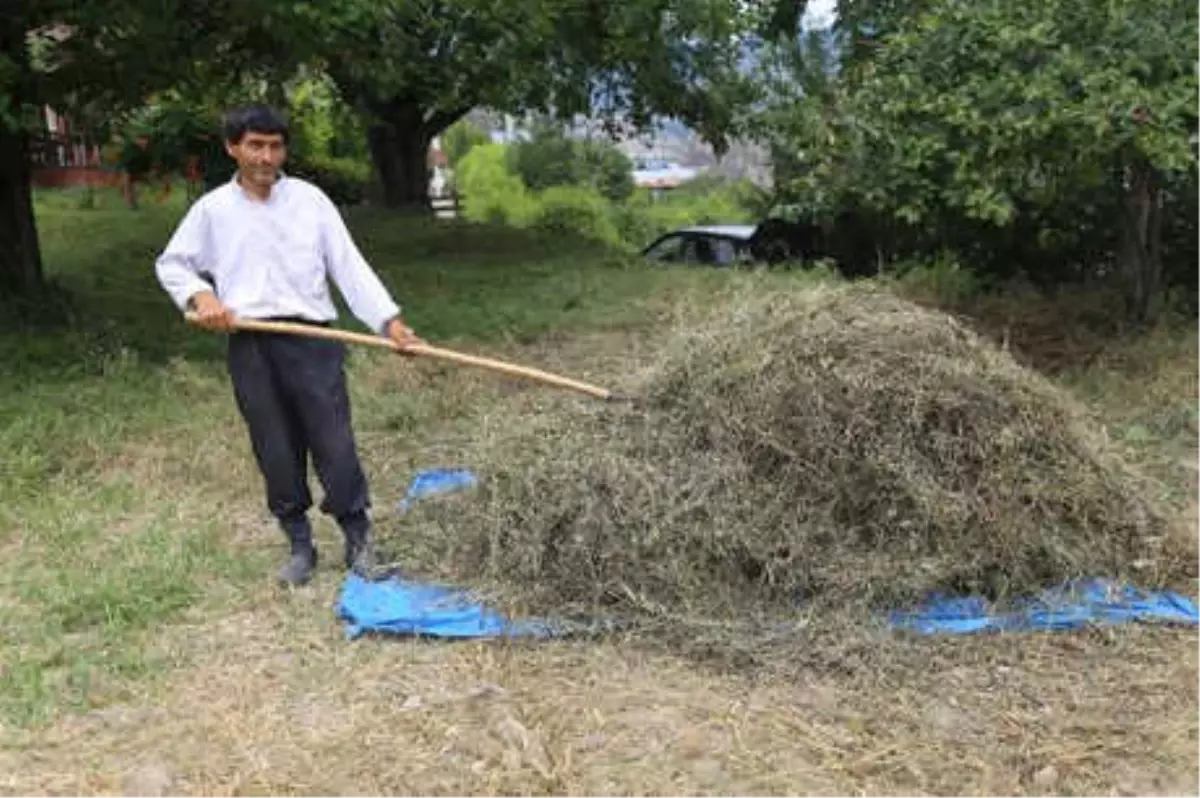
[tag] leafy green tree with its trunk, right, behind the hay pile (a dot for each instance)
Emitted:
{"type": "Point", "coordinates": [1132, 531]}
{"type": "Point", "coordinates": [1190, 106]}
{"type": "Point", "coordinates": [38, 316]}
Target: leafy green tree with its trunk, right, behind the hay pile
{"type": "Point", "coordinates": [1007, 112]}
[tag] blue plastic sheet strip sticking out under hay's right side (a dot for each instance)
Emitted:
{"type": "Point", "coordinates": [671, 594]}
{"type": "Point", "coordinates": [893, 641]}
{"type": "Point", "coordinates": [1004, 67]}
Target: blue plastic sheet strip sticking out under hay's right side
{"type": "Point", "coordinates": [1071, 607]}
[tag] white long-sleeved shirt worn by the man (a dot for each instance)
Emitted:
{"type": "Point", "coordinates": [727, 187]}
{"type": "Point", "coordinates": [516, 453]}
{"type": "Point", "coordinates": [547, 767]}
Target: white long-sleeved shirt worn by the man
{"type": "Point", "coordinates": [273, 259]}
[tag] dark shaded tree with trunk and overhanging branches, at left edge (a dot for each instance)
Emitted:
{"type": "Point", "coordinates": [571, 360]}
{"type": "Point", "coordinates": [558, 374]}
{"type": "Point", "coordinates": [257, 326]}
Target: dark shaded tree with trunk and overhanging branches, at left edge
{"type": "Point", "coordinates": [95, 58]}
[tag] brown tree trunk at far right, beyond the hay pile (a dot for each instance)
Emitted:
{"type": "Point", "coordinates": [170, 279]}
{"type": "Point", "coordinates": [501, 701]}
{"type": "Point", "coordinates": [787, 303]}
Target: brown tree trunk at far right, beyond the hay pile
{"type": "Point", "coordinates": [1142, 242]}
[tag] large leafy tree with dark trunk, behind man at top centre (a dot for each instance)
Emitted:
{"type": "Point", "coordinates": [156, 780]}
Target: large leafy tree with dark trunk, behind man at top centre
{"type": "Point", "coordinates": [416, 68]}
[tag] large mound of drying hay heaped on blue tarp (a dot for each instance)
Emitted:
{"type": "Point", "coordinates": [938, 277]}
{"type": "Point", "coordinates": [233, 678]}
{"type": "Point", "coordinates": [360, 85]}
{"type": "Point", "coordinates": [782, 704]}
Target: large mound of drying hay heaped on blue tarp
{"type": "Point", "coordinates": [833, 447]}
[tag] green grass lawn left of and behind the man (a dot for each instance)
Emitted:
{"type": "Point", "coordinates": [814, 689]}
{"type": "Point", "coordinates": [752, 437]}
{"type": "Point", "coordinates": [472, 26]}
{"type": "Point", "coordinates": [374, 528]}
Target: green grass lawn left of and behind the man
{"type": "Point", "coordinates": [127, 467]}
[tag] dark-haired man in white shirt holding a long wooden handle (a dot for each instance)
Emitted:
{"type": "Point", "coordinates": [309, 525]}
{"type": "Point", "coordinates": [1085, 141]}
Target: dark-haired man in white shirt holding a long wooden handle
{"type": "Point", "coordinates": [262, 247]}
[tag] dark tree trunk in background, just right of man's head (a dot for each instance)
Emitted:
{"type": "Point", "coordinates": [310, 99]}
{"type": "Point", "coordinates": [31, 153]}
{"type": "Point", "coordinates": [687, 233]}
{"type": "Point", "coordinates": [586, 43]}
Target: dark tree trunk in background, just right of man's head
{"type": "Point", "coordinates": [400, 151]}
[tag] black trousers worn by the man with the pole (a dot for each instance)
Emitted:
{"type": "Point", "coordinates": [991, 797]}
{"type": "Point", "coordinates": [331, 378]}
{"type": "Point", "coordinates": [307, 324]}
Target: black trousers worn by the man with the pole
{"type": "Point", "coordinates": [292, 394]}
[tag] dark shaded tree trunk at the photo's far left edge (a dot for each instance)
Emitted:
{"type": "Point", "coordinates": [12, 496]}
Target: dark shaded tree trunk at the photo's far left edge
{"type": "Point", "coordinates": [21, 259]}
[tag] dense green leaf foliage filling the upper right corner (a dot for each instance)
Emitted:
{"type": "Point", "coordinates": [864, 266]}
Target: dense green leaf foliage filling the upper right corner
{"type": "Point", "coordinates": [1029, 136]}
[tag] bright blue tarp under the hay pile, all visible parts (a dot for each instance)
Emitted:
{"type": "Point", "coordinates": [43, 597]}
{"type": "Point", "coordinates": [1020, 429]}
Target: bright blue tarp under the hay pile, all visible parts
{"type": "Point", "coordinates": [404, 608]}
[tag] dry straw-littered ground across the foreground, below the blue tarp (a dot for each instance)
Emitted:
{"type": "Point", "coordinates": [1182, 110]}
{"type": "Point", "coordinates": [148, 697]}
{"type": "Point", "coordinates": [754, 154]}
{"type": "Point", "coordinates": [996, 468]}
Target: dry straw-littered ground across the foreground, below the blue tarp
{"type": "Point", "coordinates": [274, 701]}
